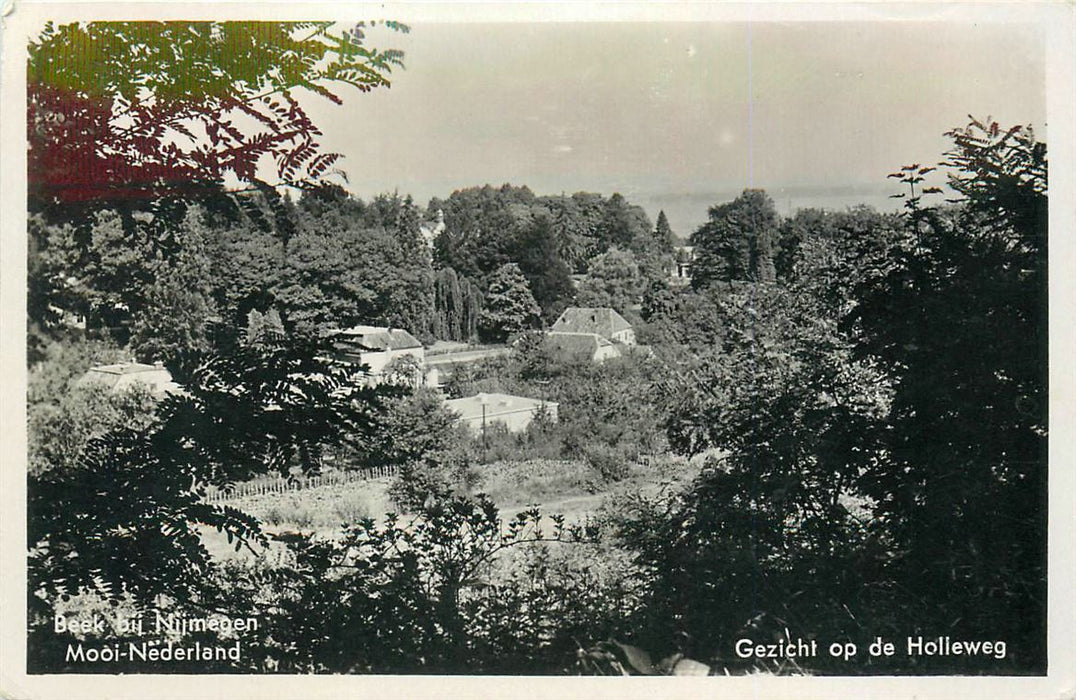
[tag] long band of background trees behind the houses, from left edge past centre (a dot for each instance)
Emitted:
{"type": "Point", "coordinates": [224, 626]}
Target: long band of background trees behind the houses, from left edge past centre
{"type": "Point", "coordinates": [181, 283]}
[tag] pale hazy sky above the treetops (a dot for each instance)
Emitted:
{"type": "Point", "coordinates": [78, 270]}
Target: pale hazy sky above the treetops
{"type": "Point", "coordinates": [681, 117]}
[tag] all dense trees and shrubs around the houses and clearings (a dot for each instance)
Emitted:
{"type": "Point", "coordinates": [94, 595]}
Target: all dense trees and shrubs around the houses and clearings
{"type": "Point", "coordinates": [867, 392]}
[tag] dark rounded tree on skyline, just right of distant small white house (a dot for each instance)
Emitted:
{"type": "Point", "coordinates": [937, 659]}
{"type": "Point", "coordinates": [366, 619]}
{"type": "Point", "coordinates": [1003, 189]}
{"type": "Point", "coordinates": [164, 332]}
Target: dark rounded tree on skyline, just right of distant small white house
{"type": "Point", "coordinates": [738, 244]}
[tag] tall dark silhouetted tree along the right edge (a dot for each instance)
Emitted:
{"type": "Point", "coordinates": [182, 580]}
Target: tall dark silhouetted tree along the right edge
{"type": "Point", "coordinates": [961, 316]}
